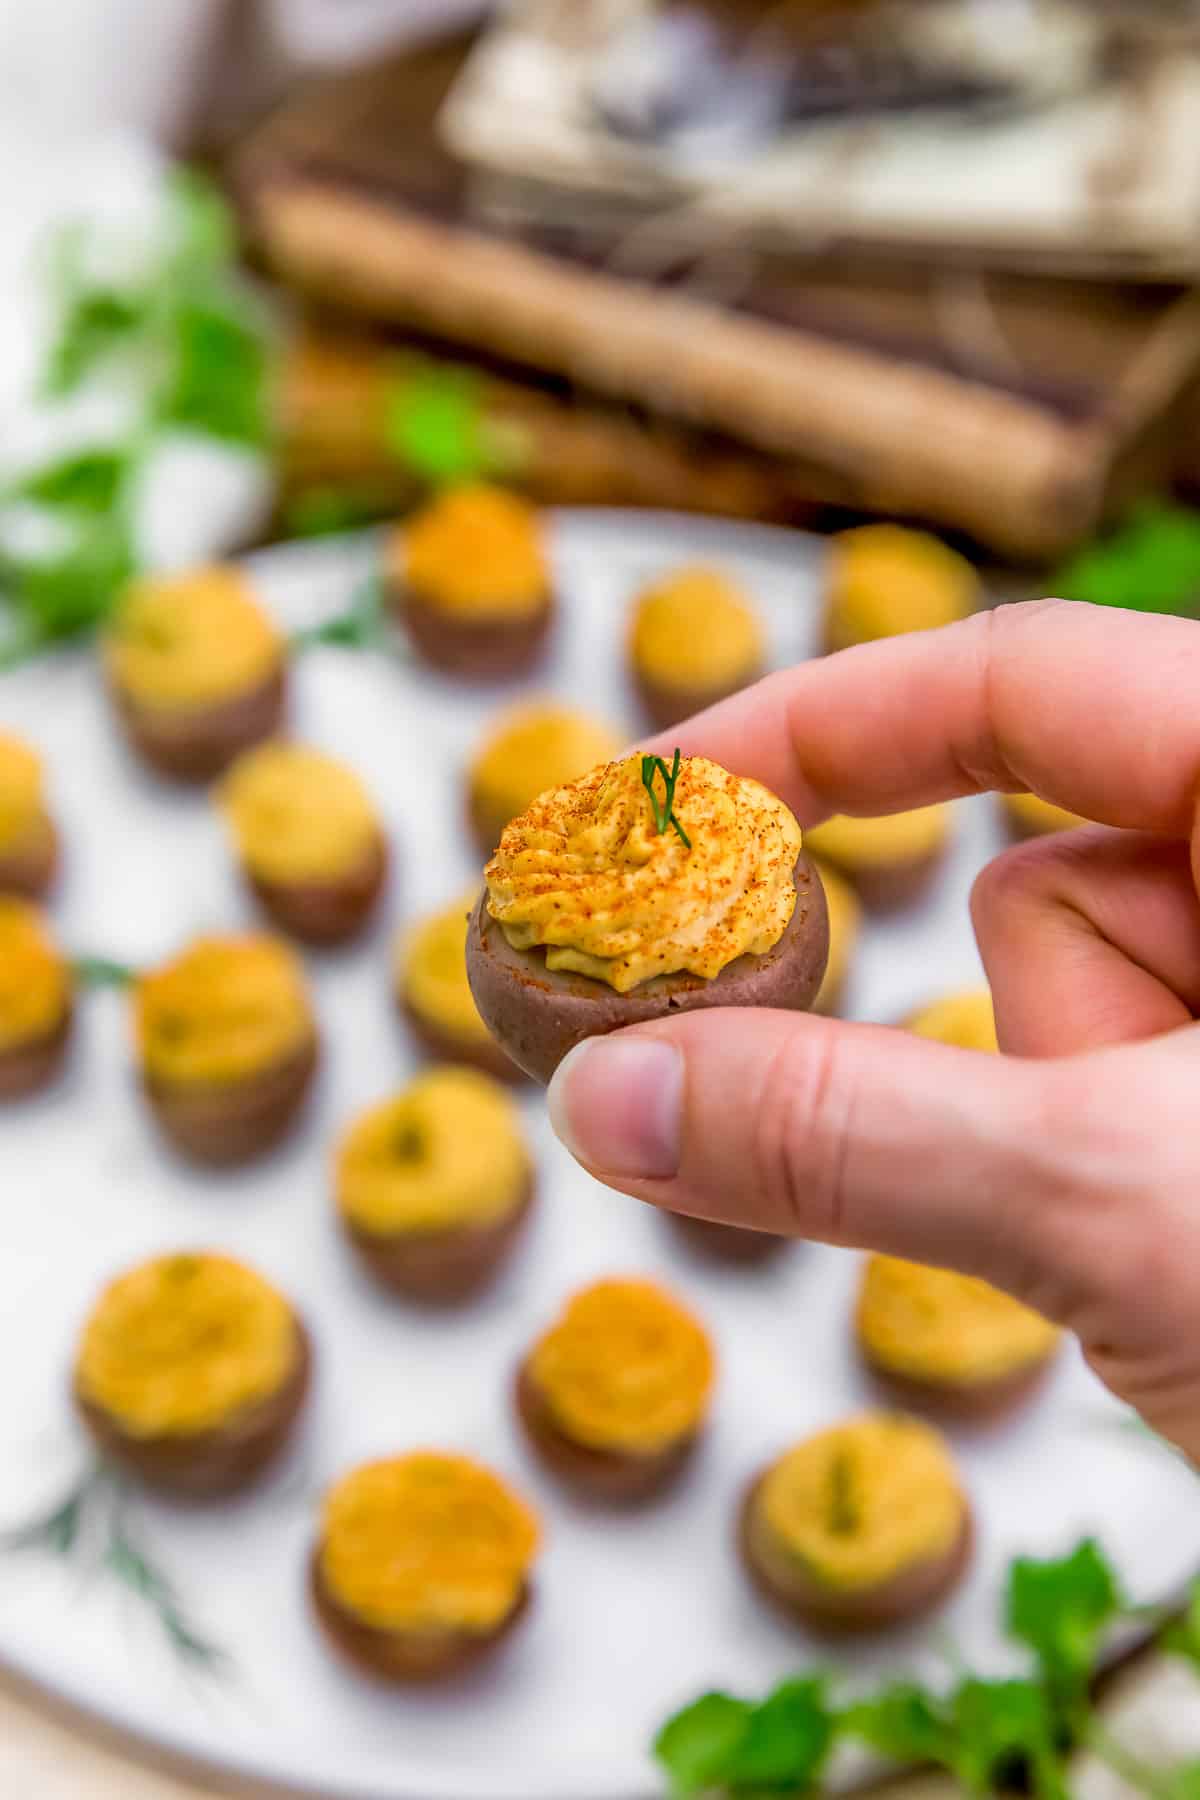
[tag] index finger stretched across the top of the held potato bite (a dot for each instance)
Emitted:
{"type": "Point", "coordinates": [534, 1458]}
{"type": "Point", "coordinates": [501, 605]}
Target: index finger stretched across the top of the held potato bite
{"type": "Point", "coordinates": [1091, 708]}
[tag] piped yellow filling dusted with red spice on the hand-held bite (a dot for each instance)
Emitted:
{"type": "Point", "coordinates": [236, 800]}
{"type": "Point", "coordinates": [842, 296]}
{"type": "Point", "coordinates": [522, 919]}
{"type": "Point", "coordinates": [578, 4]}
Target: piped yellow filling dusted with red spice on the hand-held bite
{"type": "Point", "coordinates": [587, 874]}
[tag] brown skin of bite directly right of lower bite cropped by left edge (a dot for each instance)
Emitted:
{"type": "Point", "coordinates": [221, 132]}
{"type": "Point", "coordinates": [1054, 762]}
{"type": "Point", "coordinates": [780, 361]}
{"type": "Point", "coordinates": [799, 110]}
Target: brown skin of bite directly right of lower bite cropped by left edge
{"type": "Point", "coordinates": [229, 1124]}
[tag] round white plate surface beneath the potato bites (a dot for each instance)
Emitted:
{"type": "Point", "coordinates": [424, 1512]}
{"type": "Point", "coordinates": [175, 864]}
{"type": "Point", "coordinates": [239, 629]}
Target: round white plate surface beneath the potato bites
{"type": "Point", "coordinates": [636, 1614]}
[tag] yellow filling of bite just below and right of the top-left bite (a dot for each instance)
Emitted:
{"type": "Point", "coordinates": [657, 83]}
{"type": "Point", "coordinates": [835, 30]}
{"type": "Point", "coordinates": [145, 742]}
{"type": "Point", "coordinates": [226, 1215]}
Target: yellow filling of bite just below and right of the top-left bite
{"type": "Point", "coordinates": [300, 816]}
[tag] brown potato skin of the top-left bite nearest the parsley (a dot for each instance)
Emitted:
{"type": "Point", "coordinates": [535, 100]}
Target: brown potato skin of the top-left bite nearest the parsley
{"type": "Point", "coordinates": [199, 744]}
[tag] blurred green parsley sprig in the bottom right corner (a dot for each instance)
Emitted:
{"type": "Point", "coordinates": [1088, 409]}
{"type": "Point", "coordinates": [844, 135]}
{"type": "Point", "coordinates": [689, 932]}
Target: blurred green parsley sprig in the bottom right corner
{"type": "Point", "coordinates": [992, 1736]}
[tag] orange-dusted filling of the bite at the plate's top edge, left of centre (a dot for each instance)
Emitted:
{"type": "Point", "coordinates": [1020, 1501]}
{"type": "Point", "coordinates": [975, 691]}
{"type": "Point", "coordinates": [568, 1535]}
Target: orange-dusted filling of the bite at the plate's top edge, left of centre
{"type": "Point", "coordinates": [476, 553]}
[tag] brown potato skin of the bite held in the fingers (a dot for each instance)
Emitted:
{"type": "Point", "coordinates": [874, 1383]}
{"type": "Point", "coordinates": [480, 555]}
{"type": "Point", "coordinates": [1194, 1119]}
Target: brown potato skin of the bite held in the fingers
{"type": "Point", "coordinates": [539, 1014]}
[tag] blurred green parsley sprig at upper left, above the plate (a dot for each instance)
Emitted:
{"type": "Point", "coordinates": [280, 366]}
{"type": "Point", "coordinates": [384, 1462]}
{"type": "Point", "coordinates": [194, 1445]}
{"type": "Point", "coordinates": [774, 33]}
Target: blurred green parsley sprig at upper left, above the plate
{"type": "Point", "coordinates": [193, 348]}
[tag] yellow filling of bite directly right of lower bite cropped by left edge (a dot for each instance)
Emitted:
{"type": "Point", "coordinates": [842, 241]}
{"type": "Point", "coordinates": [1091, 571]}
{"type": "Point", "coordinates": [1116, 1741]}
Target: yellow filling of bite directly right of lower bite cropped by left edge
{"type": "Point", "coordinates": [224, 1011]}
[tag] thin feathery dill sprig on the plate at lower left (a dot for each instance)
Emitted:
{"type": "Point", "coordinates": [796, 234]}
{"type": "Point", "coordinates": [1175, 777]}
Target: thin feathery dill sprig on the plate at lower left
{"type": "Point", "coordinates": [93, 1524]}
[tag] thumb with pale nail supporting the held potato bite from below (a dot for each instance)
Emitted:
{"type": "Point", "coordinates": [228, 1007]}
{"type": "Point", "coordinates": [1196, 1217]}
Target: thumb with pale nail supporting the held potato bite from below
{"type": "Point", "coordinates": [843, 1133]}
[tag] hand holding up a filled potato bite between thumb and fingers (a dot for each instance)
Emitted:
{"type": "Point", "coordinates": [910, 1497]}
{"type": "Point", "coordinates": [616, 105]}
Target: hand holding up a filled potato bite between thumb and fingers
{"type": "Point", "coordinates": [1066, 1171]}
